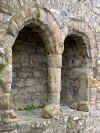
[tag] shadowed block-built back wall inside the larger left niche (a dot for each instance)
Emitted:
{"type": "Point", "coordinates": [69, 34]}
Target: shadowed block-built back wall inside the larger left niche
{"type": "Point", "coordinates": [29, 61]}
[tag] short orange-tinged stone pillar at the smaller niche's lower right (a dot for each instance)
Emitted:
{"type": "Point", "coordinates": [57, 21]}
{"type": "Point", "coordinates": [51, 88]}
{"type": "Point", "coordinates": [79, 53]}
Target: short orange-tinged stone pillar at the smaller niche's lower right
{"type": "Point", "coordinates": [89, 103]}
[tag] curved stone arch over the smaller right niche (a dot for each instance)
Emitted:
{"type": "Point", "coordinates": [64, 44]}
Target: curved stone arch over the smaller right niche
{"type": "Point", "coordinates": [79, 27]}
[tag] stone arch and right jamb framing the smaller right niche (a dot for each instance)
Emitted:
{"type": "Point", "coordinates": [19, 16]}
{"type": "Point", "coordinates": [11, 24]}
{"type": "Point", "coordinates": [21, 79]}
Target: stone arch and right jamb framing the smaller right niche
{"type": "Point", "coordinates": [83, 31]}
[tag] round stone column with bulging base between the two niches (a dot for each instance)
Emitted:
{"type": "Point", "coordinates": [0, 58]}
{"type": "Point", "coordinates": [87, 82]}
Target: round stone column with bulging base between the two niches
{"type": "Point", "coordinates": [54, 86]}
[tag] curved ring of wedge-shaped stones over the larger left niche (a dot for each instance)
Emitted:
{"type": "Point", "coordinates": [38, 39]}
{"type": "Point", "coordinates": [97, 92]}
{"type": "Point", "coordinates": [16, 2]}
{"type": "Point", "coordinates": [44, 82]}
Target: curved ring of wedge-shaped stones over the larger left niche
{"type": "Point", "coordinates": [52, 36]}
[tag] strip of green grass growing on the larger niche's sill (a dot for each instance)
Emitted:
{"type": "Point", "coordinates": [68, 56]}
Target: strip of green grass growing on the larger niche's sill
{"type": "Point", "coordinates": [30, 107]}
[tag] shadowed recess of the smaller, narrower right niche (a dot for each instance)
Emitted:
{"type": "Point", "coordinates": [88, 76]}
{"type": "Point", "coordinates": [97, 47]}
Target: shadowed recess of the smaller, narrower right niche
{"type": "Point", "coordinates": [74, 69]}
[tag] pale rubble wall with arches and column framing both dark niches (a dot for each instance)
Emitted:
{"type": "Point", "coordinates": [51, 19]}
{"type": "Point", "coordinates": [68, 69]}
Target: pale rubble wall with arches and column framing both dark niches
{"type": "Point", "coordinates": [56, 19]}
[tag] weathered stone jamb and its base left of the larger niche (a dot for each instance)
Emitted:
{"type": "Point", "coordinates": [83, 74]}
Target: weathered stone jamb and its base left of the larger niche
{"type": "Point", "coordinates": [6, 110]}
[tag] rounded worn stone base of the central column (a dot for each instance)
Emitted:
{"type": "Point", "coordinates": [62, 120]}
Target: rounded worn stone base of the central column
{"type": "Point", "coordinates": [52, 111]}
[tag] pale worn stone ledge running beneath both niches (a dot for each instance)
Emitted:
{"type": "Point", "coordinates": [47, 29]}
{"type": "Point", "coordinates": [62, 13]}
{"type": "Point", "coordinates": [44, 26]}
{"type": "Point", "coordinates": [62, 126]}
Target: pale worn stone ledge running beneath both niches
{"type": "Point", "coordinates": [72, 122]}
